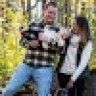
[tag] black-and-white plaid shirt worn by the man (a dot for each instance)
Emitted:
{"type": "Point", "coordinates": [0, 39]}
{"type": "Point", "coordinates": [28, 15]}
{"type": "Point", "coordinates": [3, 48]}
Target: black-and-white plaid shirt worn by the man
{"type": "Point", "coordinates": [42, 55]}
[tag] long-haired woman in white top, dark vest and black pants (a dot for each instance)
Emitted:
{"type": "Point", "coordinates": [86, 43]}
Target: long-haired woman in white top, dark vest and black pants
{"type": "Point", "coordinates": [74, 62]}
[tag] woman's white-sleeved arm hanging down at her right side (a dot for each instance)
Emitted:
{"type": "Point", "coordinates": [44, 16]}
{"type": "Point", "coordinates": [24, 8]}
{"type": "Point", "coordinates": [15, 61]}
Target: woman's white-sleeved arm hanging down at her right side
{"type": "Point", "coordinates": [84, 61]}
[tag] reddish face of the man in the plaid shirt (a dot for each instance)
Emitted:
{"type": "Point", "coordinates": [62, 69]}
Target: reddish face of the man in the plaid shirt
{"type": "Point", "coordinates": [50, 14]}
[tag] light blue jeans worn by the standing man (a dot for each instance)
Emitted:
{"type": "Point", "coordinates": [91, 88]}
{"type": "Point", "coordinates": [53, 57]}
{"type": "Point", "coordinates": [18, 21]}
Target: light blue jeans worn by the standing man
{"type": "Point", "coordinates": [42, 76]}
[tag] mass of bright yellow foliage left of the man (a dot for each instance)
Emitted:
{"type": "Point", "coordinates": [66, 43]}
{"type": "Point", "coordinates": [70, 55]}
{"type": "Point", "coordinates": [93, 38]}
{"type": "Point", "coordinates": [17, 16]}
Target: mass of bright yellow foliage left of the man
{"type": "Point", "coordinates": [11, 53]}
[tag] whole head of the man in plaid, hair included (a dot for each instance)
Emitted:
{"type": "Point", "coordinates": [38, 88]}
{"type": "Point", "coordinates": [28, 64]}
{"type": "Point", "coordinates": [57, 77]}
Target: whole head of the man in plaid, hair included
{"type": "Point", "coordinates": [50, 12]}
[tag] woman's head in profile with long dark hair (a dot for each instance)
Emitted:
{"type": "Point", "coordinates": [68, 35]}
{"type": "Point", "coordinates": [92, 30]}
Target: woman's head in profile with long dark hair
{"type": "Point", "coordinates": [82, 26]}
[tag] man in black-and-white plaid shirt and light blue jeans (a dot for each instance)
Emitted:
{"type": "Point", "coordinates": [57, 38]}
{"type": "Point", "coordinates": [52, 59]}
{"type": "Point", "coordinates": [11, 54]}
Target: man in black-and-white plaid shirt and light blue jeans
{"type": "Point", "coordinates": [38, 61]}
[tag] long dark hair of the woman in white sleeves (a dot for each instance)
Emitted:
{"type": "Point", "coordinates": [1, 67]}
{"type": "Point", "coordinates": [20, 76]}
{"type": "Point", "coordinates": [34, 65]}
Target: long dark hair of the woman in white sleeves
{"type": "Point", "coordinates": [82, 22]}
